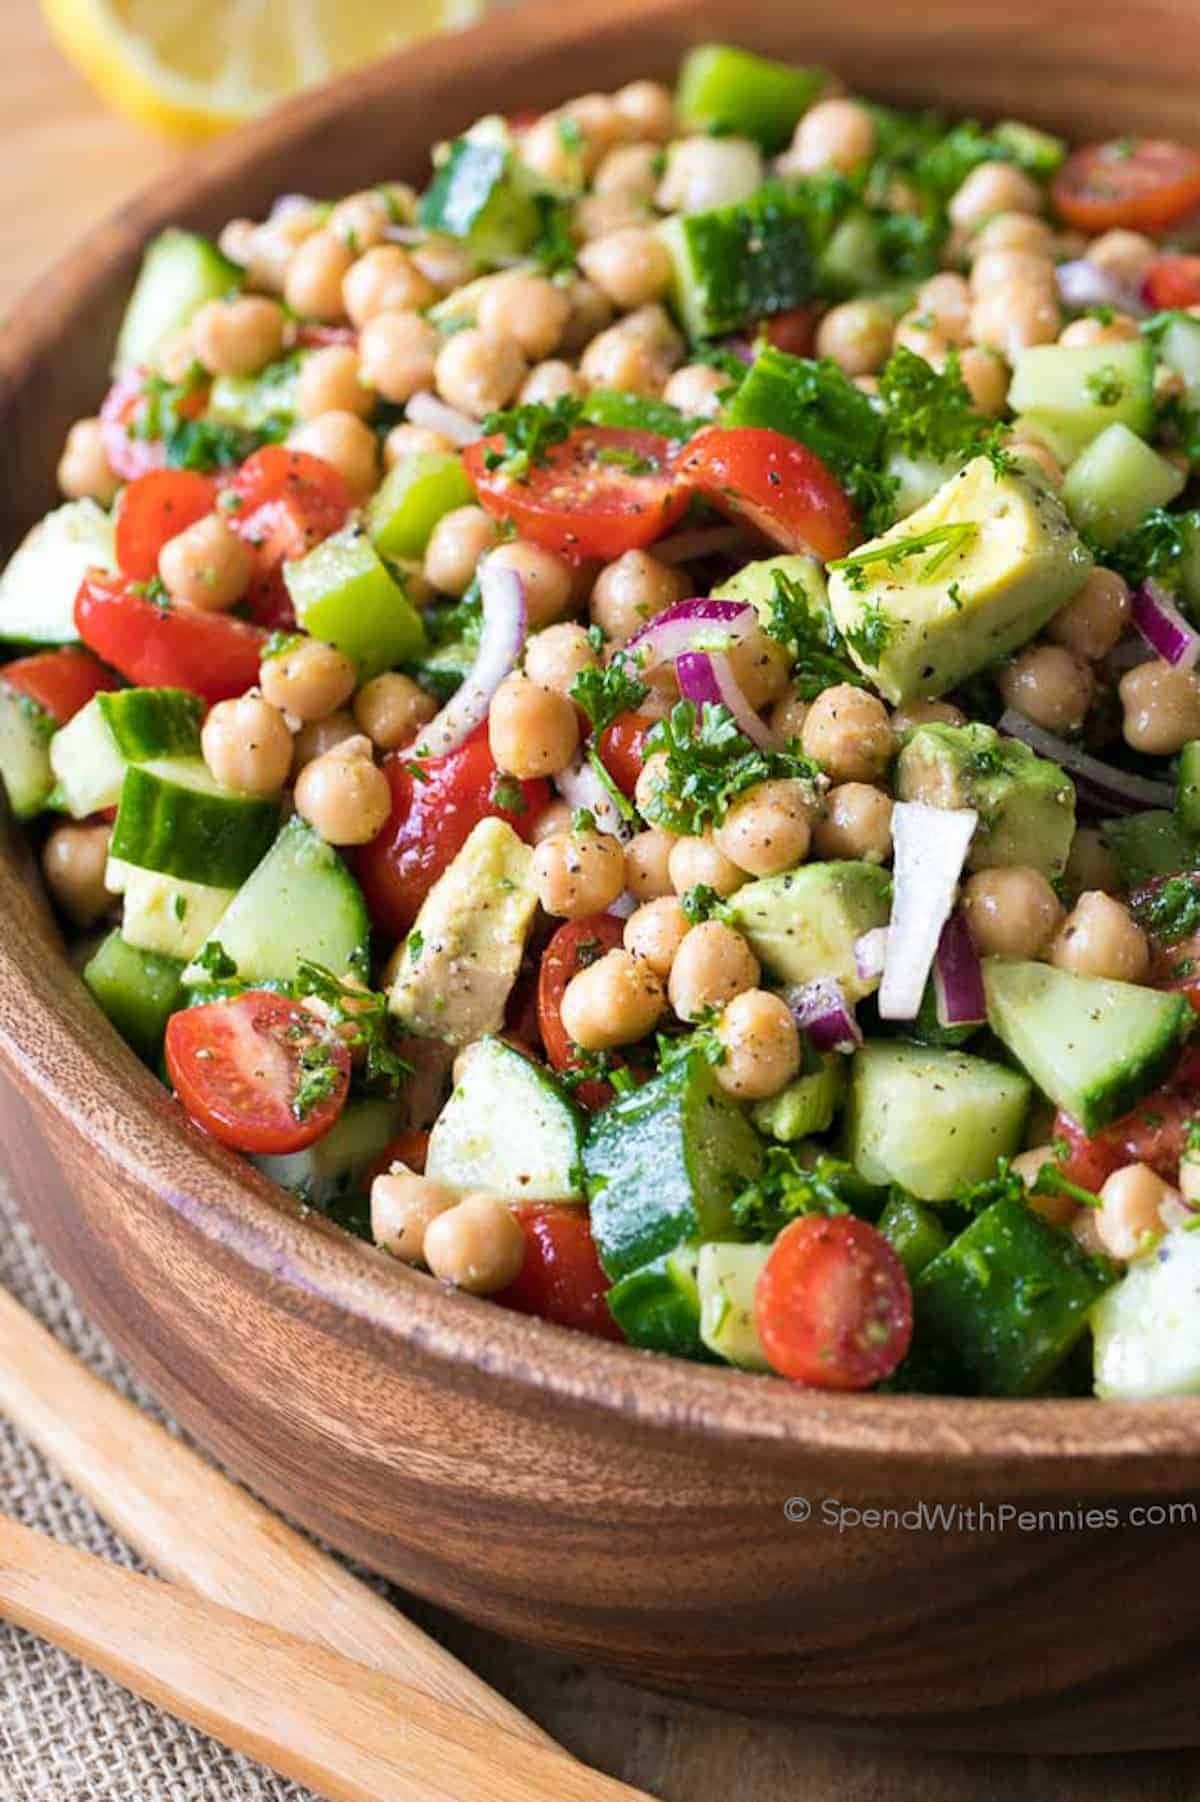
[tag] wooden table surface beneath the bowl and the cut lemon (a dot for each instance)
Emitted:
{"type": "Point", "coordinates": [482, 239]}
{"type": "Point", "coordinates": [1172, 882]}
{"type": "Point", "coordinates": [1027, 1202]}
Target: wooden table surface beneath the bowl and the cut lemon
{"type": "Point", "coordinates": [66, 165]}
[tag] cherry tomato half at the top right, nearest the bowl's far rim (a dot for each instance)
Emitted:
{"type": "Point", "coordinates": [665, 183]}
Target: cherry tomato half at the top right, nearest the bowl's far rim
{"type": "Point", "coordinates": [1143, 183]}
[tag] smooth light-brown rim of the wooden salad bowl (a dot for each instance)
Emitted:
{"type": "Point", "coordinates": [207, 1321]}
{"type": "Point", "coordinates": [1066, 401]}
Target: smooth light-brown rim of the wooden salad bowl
{"type": "Point", "coordinates": [100, 1086]}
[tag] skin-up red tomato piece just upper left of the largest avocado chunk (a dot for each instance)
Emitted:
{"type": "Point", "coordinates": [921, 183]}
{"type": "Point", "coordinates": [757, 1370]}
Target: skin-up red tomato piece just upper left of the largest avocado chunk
{"type": "Point", "coordinates": [776, 484]}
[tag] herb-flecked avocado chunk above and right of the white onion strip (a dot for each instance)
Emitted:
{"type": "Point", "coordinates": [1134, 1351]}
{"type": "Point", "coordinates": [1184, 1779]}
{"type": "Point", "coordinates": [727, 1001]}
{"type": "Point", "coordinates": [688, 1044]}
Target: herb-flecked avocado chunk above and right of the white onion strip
{"type": "Point", "coordinates": [1026, 805]}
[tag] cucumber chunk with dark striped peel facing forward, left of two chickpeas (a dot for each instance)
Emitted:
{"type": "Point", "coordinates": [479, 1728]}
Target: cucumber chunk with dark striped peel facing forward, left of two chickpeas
{"type": "Point", "coordinates": [176, 819]}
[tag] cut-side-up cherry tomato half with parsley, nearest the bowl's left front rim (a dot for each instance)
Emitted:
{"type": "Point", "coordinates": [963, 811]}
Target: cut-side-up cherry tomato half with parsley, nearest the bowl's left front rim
{"type": "Point", "coordinates": [241, 1071]}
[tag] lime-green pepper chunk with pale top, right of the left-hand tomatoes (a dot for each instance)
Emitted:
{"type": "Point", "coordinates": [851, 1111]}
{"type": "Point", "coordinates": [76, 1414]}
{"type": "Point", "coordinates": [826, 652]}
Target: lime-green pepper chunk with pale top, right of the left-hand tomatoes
{"type": "Point", "coordinates": [345, 596]}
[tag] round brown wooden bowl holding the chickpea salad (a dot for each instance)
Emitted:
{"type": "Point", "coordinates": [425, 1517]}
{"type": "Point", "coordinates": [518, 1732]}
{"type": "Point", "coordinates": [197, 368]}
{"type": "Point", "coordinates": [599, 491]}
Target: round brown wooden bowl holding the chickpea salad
{"type": "Point", "coordinates": [610, 1504]}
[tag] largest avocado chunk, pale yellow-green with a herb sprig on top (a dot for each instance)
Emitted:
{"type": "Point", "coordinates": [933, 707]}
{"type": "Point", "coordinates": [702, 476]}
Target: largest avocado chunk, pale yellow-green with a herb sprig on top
{"type": "Point", "coordinates": [994, 558]}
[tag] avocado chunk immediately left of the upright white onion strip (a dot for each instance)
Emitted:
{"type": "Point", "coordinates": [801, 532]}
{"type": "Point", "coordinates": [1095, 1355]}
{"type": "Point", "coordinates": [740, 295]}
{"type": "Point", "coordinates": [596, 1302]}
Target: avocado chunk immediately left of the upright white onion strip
{"type": "Point", "coordinates": [805, 924]}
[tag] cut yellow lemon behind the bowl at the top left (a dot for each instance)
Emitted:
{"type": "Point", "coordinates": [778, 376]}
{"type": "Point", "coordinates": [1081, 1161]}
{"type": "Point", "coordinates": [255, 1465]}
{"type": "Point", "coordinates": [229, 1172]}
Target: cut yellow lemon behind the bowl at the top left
{"type": "Point", "coordinates": [199, 68]}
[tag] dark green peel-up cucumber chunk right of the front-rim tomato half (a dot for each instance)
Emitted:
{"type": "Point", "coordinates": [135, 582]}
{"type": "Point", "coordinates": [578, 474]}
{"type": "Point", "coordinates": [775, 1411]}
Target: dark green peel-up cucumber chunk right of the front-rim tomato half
{"type": "Point", "coordinates": [1008, 1302]}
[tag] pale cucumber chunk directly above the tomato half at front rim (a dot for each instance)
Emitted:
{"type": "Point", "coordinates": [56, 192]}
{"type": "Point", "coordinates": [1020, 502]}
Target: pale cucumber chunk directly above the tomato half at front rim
{"type": "Point", "coordinates": [931, 1120]}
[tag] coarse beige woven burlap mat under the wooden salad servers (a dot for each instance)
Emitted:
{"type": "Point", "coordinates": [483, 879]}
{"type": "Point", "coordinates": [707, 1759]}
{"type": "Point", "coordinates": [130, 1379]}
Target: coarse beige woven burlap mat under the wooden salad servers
{"type": "Point", "coordinates": [66, 1733]}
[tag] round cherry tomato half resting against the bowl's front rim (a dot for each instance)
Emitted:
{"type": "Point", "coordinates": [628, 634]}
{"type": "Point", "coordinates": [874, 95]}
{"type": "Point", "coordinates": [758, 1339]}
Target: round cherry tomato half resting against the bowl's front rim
{"type": "Point", "coordinates": [833, 1304]}
